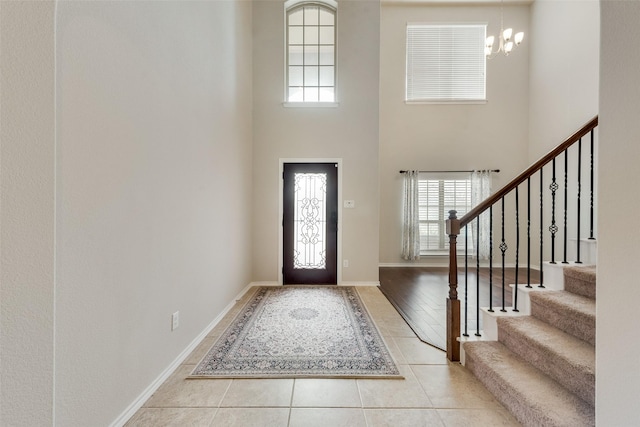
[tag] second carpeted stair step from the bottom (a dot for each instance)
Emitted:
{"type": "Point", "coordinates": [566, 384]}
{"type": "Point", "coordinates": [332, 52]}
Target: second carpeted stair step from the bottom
{"type": "Point", "coordinates": [563, 357]}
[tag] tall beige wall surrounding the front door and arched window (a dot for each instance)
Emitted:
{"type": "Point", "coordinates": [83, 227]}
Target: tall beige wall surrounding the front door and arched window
{"type": "Point", "coordinates": [348, 132]}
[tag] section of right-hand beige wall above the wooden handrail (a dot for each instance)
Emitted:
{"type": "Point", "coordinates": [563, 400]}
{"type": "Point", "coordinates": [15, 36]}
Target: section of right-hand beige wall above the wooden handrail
{"type": "Point", "coordinates": [563, 73]}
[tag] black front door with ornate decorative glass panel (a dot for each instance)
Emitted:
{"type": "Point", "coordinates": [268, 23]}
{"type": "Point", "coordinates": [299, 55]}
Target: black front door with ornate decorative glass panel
{"type": "Point", "coordinates": [310, 223]}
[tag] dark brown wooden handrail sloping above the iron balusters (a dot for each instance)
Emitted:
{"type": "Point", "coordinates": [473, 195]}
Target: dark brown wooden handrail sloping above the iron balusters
{"type": "Point", "coordinates": [473, 213]}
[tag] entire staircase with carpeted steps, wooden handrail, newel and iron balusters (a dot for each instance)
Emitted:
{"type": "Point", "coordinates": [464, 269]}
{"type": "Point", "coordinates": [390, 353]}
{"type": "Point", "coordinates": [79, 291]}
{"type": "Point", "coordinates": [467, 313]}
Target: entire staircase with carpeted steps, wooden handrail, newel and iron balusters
{"type": "Point", "coordinates": [538, 355]}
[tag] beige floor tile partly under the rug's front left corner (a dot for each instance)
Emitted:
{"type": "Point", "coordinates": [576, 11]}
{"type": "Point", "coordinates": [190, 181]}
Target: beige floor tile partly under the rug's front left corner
{"type": "Point", "coordinates": [179, 392]}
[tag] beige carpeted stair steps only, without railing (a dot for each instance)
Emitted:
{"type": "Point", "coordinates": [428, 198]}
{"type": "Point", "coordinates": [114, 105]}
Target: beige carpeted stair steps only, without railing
{"type": "Point", "coordinates": [542, 368]}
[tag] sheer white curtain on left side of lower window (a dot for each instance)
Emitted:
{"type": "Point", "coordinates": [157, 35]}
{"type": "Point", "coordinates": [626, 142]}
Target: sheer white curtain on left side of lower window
{"type": "Point", "coordinates": [411, 218]}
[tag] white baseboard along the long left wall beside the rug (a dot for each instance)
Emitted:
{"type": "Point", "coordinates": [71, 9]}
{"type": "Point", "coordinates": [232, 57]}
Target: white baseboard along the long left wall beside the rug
{"type": "Point", "coordinates": [146, 394]}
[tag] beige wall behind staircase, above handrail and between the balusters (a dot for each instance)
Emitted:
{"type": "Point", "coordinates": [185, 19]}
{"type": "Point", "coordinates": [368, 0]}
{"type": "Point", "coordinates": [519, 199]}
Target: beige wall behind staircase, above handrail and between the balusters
{"type": "Point", "coordinates": [563, 87]}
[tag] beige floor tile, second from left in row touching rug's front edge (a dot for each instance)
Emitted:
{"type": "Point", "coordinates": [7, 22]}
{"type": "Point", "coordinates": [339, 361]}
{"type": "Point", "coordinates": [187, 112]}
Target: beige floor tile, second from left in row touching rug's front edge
{"type": "Point", "coordinates": [258, 393]}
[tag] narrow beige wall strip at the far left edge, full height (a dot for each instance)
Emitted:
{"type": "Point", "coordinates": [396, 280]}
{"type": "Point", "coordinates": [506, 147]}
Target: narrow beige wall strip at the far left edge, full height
{"type": "Point", "coordinates": [27, 213]}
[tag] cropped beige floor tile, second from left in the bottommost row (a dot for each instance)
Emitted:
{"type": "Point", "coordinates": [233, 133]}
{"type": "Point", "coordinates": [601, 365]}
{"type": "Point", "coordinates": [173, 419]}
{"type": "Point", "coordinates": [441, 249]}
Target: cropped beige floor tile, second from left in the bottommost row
{"type": "Point", "coordinates": [251, 417]}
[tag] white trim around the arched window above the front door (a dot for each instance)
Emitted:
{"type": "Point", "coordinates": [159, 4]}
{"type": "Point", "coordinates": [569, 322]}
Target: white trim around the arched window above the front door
{"type": "Point", "coordinates": [288, 6]}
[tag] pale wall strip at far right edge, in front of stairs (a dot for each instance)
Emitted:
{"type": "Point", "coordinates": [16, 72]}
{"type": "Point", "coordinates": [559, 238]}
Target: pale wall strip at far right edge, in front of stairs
{"type": "Point", "coordinates": [617, 346]}
